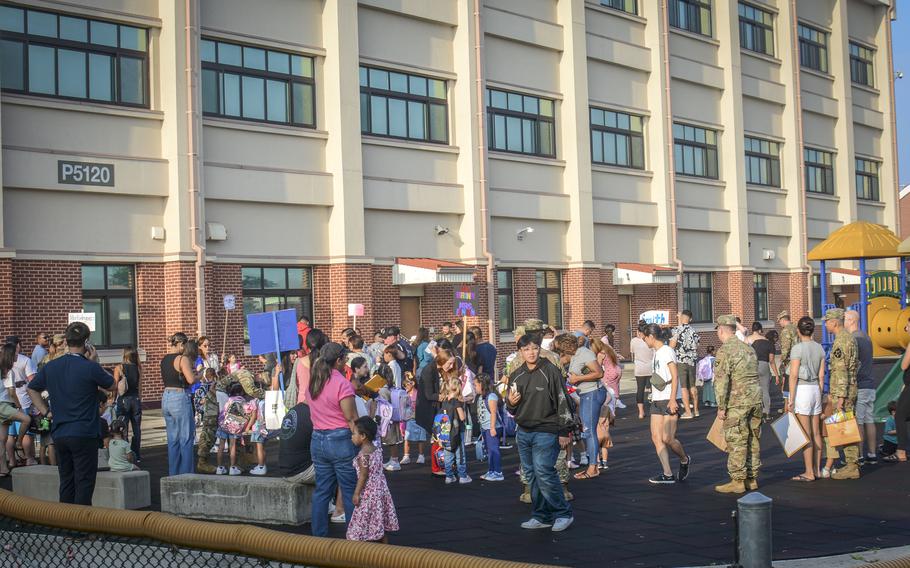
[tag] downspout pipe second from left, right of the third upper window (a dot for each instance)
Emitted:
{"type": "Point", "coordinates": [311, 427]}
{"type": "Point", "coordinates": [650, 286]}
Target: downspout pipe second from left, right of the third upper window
{"type": "Point", "coordinates": [482, 172]}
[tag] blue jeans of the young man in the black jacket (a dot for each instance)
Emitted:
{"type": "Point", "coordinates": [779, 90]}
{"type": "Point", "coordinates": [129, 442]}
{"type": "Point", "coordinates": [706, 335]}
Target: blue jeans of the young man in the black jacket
{"type": "Point", "coordinates": [538, 451]}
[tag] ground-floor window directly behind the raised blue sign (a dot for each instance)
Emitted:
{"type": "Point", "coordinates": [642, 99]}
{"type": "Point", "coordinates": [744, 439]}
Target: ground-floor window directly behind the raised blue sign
{"type": "Point", "coordinates": [268, 289]}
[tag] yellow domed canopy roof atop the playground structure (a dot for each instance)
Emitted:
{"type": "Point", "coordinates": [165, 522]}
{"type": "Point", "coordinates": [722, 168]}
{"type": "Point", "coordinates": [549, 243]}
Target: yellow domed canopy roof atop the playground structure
{"type": "Point", "coordinates": [859, 240]}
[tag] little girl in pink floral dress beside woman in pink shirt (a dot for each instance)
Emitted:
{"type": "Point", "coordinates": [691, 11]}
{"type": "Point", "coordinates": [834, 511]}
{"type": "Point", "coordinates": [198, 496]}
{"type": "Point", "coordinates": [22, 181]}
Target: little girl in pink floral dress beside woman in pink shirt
{"type": "Point", "coordinates": [374, 511]}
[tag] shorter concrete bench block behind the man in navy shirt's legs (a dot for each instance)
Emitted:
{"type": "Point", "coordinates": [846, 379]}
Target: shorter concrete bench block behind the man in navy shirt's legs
{"type": "Point", "coordinates": [113, 489]}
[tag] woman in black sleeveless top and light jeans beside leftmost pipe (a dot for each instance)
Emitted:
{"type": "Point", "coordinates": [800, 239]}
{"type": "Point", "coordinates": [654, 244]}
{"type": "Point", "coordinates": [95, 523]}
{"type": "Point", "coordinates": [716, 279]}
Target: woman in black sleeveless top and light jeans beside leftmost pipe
{"type": "Point", "coordinates": [176, 404]}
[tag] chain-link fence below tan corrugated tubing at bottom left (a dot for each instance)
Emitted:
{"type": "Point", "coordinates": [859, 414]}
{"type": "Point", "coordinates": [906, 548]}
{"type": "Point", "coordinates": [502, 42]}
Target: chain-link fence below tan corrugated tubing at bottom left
{"type": "Point", "coordinates": [26, 545]}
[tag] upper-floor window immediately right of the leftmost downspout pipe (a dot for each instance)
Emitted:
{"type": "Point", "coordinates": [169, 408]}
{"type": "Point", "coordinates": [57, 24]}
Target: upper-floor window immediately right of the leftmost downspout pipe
{"type": "Point", "coordinates": [257, 84]}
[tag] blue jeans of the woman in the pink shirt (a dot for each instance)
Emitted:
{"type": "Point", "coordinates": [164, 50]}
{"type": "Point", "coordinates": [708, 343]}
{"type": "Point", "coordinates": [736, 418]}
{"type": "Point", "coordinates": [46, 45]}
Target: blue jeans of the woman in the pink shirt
{"type": "Point", "coordinates": [333, 455]}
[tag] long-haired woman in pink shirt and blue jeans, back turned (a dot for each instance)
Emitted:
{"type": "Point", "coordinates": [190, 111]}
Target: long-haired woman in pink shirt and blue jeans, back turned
{"type": "Point", "coordinates": [333, 411]}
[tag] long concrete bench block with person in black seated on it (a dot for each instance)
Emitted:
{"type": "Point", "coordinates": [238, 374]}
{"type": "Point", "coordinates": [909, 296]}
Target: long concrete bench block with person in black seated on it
{"type": "Point", "coordinates": [267, 500]}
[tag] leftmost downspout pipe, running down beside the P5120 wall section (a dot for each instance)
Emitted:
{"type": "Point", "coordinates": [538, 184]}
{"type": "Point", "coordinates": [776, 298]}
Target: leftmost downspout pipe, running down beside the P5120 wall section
{"type": "Point", "coordinates": [192, 156]}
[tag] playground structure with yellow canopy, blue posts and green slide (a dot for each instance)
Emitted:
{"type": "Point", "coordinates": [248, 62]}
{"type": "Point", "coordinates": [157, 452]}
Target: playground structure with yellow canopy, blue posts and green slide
{"type": "Point", "coordinates": [882, 305]}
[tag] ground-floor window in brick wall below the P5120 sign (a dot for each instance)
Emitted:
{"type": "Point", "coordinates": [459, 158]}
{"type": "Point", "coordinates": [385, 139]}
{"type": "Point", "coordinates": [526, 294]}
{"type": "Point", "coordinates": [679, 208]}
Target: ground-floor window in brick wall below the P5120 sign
{"type": "Point", "coordinates": [109, 293]}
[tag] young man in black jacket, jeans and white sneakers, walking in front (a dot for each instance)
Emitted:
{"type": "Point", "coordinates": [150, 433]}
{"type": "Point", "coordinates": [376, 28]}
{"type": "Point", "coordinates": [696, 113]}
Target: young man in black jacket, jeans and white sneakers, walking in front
{"type": "Point", "coordinates": [537, 399]}
